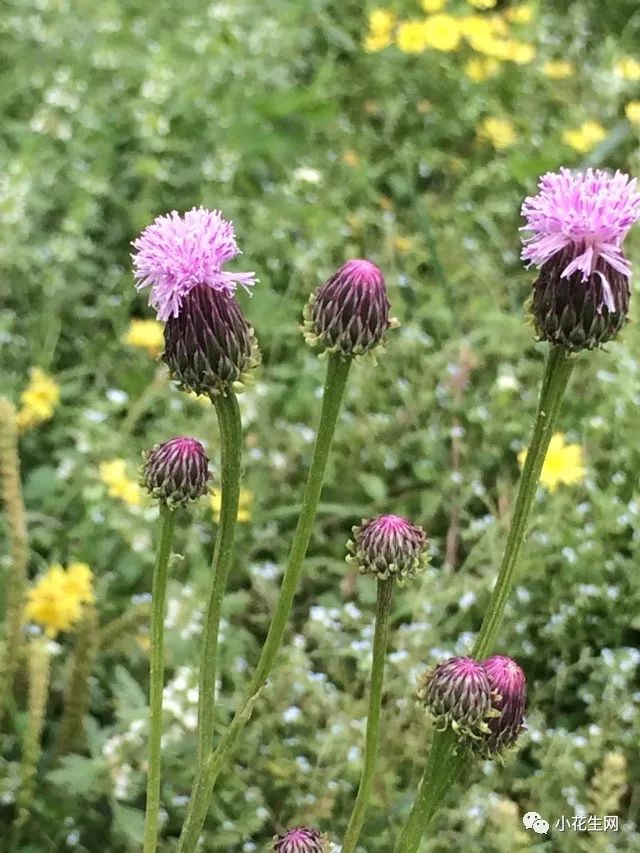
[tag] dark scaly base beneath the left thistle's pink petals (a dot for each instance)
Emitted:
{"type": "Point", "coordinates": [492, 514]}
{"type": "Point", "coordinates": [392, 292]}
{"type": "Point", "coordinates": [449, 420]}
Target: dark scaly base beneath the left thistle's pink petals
{"type": "Point", "coordinates": [209, 346]}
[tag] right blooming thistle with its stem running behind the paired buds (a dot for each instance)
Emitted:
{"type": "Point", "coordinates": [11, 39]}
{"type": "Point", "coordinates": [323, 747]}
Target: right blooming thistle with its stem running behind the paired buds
{"type": "Point", "coordinates": [575, 228]}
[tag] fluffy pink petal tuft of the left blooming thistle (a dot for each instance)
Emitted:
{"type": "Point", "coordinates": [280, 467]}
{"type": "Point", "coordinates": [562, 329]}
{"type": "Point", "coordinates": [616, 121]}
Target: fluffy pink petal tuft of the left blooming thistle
{"type": "Point", "coordinates": [177, 253]}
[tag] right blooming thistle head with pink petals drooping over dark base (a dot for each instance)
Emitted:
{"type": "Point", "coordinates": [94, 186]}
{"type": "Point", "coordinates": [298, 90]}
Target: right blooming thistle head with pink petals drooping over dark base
{"type": "Point", "coordinates": [575, 228]}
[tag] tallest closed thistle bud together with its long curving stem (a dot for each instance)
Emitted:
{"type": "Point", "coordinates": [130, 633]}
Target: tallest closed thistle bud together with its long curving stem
{"type": "Point", "coordinates": [355, 329]}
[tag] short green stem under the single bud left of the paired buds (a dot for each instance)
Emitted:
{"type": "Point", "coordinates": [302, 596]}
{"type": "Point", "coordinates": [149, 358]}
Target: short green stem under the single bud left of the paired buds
{"type": "Point", "coordinates": [381, 636]}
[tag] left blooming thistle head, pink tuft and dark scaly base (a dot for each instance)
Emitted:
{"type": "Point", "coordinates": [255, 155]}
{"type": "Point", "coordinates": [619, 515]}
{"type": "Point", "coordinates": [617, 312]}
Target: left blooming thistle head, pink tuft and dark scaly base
{"type": "Point", "coordinates": [209, 346]}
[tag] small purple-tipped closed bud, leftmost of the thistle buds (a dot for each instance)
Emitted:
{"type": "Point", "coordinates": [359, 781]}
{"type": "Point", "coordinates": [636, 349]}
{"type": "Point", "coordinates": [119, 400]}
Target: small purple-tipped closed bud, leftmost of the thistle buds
{"type": "Point", "coordinates": [176, 471]}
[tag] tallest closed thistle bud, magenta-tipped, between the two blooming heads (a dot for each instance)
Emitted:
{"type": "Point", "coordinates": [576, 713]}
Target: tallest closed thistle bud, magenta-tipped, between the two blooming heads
{"type": "Point", "coordinates": [349, 313]}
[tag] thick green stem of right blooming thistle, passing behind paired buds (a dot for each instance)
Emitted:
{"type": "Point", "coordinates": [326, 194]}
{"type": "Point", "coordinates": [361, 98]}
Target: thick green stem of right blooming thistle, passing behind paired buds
{"type": "Point", "coordinates": [444, 763]}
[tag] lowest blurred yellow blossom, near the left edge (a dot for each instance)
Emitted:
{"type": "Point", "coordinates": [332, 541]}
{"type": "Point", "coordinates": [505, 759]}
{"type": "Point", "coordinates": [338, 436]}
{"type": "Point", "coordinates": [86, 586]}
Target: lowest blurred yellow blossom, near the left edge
{"type": "Point", "coordinates": [55, 601]}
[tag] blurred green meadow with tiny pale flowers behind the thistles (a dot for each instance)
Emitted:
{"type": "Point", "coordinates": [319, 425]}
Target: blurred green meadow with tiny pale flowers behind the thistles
{"type": "Point", "coordinates": [114, 113]}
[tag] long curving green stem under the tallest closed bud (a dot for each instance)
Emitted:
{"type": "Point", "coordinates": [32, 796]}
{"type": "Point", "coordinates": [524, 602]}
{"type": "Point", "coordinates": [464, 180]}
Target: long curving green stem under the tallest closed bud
{"type": "Point", "coordinates": [337, 372]}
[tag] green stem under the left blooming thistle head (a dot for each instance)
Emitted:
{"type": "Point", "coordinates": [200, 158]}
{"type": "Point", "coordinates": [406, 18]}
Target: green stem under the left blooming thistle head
{"type": "Point", "coordinates": [231, 464]}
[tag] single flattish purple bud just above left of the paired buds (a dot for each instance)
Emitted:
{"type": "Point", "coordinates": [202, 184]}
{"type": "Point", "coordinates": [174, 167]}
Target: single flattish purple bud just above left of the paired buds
{"type": "Point", "coordinates": [388, 546]}
